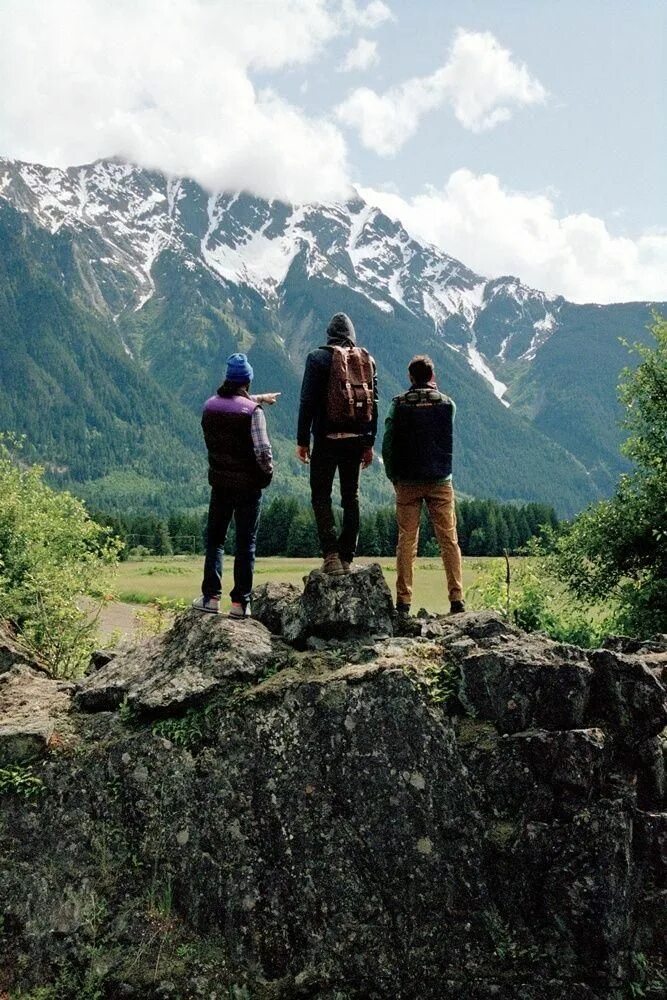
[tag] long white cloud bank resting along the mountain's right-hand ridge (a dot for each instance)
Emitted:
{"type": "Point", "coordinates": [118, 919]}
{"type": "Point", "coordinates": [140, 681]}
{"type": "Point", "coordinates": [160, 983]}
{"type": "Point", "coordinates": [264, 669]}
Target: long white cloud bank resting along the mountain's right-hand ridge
{"type": "Point", "coordinates": [497, 232]}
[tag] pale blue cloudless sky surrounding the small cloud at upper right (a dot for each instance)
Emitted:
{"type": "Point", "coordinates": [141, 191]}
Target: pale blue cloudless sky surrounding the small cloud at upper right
{"type": "Point", "coordinates": [600, 138]}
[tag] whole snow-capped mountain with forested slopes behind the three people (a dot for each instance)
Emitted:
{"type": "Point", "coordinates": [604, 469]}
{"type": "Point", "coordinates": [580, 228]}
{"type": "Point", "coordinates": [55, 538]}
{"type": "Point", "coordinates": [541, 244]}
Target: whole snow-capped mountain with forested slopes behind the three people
{"type": "Point", "coordinates": [122, 291]}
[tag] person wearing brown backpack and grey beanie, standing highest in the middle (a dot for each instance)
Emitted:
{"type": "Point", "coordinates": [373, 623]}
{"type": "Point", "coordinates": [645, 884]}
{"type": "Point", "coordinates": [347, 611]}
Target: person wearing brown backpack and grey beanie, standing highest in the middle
{"type": "Point", "coordinates": [339, 408]}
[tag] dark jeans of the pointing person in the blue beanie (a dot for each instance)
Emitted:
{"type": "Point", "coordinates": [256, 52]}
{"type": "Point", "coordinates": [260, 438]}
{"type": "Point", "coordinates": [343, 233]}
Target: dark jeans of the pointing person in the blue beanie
{"type": "Point", "coordinates": [244, 507]}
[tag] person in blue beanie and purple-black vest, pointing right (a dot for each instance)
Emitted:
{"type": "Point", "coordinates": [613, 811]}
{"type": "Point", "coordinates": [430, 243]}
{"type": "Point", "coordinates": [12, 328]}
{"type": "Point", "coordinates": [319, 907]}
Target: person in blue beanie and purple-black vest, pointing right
{"type": "Point", "coordinates": [240, 466]}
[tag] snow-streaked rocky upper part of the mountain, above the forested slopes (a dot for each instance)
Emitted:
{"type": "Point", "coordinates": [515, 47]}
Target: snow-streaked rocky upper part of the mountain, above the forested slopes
{"type": "Point", "coordinates": [131, 215]}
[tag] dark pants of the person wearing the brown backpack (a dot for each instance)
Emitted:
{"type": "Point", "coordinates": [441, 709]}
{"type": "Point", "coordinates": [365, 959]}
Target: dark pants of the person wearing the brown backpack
{"type": "Point", "coordinates": [328, 456]}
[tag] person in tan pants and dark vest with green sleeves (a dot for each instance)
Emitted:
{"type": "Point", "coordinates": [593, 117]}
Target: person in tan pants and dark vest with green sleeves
{"type": "Point", "coordinates": [417, 456]}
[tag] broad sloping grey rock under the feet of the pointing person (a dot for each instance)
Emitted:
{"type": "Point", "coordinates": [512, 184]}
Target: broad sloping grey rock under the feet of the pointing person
{"type": "Point", "coordinates": [195, 658]}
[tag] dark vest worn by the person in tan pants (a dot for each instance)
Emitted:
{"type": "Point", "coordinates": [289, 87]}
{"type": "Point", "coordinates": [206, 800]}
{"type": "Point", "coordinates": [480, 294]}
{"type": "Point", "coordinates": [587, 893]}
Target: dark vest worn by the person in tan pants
{"type": "Point", "coordinates": [422, 435]}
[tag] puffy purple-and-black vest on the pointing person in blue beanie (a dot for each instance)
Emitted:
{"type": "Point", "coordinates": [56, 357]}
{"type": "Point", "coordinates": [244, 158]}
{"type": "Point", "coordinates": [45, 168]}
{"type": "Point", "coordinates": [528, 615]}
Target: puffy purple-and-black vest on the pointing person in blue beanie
{"type": "Point", "coordinates": [232, 463]}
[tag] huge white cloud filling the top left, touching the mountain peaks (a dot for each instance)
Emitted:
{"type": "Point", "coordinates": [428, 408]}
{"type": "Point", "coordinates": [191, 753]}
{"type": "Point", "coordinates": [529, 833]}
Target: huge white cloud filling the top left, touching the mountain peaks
{"type": "Point", "coordinates": [167, 85]}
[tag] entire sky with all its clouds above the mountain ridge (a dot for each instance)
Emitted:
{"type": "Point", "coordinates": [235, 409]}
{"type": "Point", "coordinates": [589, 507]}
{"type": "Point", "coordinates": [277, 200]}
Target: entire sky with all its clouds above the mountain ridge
{"type": "Point", "coordinates": [524, 137]}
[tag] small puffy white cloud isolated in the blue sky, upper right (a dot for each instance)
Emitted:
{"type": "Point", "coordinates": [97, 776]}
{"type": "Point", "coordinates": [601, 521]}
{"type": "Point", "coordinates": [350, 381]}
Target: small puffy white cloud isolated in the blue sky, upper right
{"type": "Point", "coordinates": [480, 81]}
